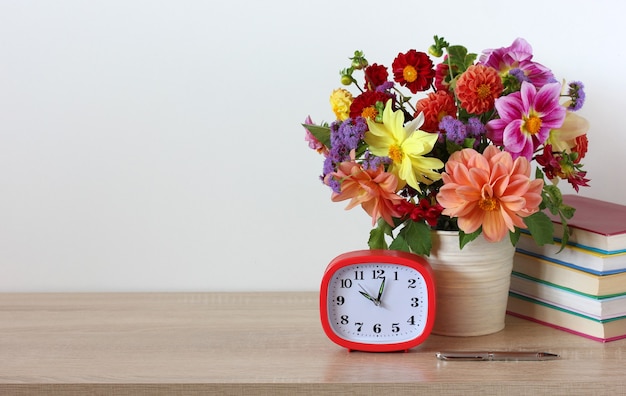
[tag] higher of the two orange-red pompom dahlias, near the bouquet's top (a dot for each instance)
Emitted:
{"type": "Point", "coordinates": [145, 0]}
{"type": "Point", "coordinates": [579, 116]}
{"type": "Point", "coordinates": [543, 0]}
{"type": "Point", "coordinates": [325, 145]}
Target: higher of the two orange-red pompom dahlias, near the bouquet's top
{"type": "Point", "coordinates": [478, 87]}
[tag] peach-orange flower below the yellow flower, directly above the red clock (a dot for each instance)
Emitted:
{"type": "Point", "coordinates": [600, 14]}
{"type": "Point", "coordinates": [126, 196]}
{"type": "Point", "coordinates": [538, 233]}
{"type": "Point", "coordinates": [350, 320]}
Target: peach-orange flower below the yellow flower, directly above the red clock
{"type": "Point", "coordinates": [374, 190]}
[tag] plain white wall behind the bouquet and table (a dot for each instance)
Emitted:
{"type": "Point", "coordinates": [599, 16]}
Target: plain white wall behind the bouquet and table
{"type": "Point", "coordinates": [156, 145]}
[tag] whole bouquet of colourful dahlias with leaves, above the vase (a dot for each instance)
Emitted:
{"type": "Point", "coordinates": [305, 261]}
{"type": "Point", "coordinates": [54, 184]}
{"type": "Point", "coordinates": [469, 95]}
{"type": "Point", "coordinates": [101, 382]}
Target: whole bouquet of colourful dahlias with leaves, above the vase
{"type": "Point", "coordinates": [460, 154]}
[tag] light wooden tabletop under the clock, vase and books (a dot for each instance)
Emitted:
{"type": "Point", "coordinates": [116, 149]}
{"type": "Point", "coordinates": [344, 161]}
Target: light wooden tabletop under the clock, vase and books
{"type": "Point", "coordinates": [263, 343]}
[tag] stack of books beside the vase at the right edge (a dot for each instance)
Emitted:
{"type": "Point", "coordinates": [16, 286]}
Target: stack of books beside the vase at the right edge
{"type": "Point", "coordinates": [581, 288]}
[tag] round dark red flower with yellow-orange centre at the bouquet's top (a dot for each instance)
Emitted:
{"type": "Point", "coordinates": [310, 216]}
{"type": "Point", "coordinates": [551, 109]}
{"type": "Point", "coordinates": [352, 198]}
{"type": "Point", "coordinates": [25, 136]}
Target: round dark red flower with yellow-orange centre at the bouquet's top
{"type": "Point", "coordinates": [413, 70]}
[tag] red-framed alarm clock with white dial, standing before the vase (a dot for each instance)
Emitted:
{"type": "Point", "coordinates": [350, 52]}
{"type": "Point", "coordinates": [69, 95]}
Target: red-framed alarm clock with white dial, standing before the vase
{"type": "Point", "coordinates": [378, 306]}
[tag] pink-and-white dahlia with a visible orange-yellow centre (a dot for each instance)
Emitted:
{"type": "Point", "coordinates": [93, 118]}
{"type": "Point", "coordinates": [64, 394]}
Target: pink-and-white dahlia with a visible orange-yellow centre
{"type": "Point", "coordinates": [526, 118]}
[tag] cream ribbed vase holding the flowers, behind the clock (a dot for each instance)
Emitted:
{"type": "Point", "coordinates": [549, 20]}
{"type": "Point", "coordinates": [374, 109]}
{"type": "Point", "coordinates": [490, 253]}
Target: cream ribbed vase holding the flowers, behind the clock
{"type": "Point", "coordinates": [472, 284]}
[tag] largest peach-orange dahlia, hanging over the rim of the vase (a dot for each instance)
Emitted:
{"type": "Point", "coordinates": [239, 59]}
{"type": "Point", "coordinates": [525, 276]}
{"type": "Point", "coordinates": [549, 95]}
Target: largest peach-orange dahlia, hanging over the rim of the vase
{"type": "Point", "coordinates": [489, 190]}
